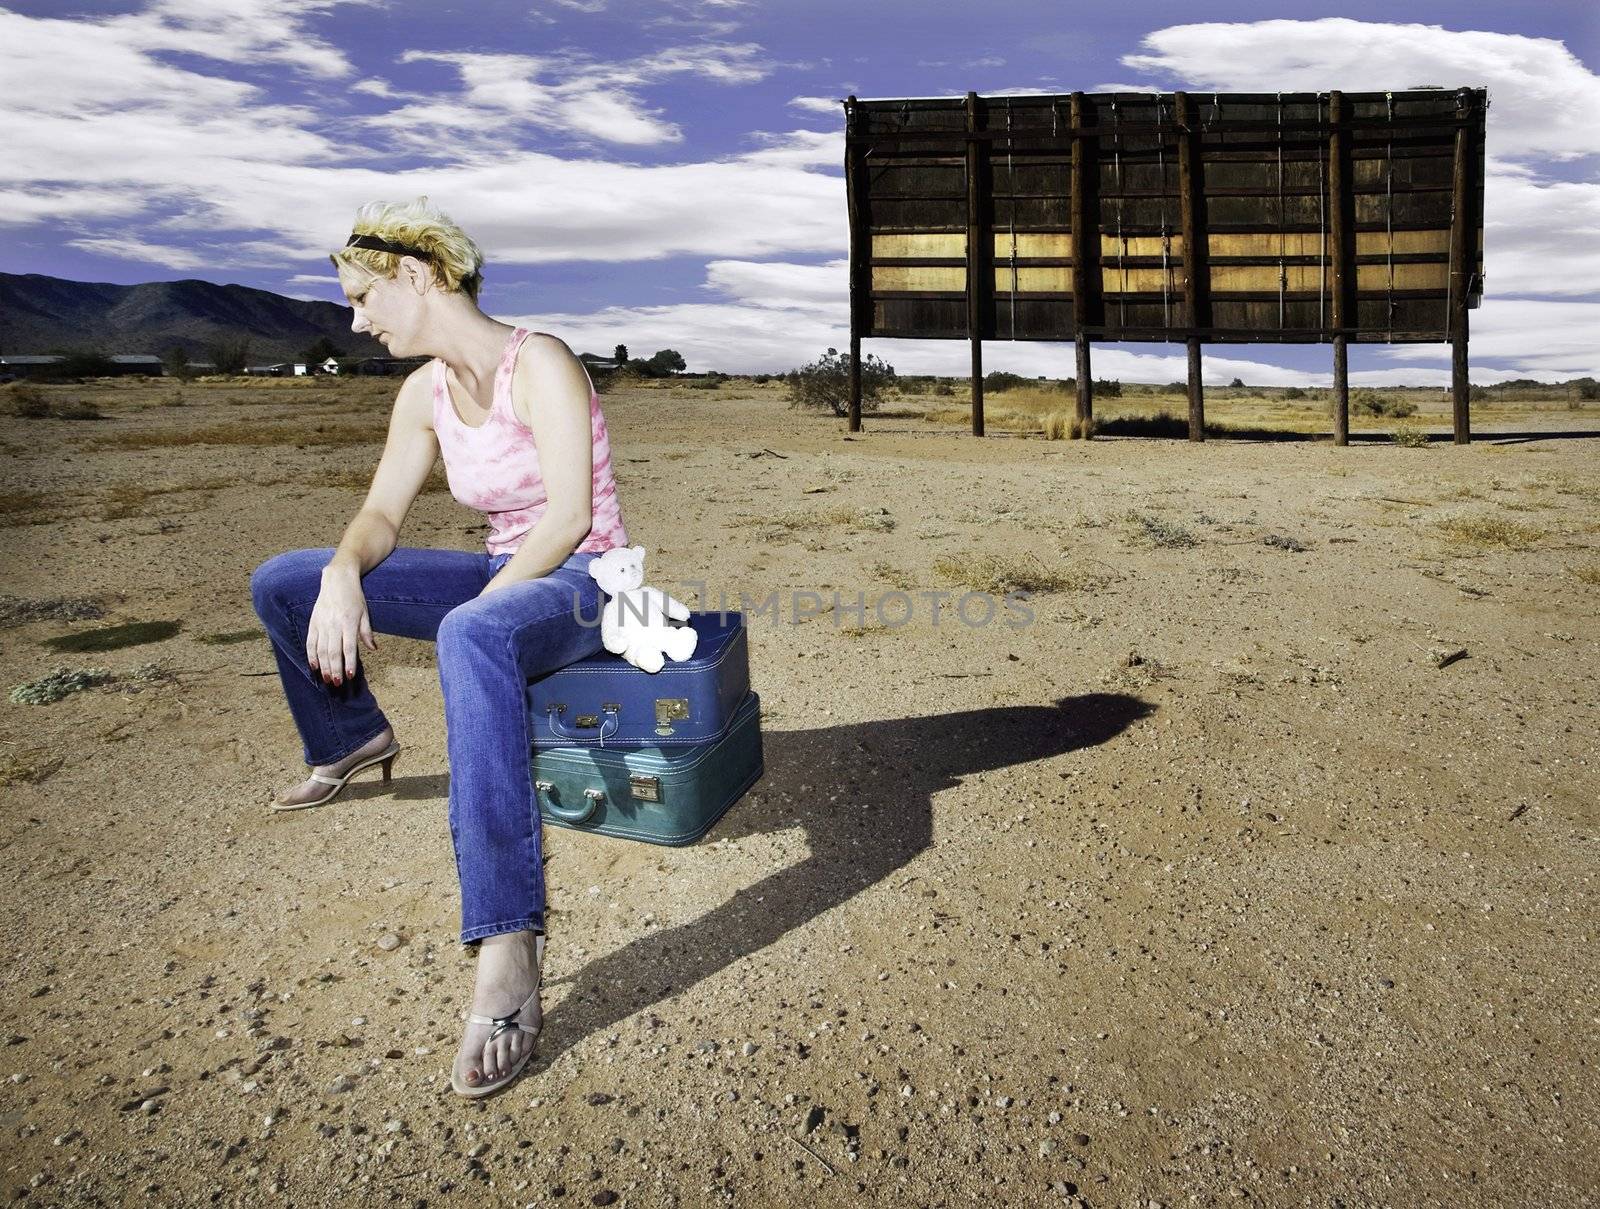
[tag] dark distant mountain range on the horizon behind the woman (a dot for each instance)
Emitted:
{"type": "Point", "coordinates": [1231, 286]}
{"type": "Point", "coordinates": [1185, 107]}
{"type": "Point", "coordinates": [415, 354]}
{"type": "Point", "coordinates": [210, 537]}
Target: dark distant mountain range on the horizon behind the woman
{"type": "Point", "coordinates": [49, 314]}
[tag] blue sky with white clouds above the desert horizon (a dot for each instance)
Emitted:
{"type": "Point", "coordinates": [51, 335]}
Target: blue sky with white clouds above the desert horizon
{"type": "Point", "coordinates": [668, 172]}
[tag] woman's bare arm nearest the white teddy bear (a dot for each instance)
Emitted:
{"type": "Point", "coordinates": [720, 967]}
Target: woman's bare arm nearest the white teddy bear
{"type": "Point", "coordinates": [553, 391]}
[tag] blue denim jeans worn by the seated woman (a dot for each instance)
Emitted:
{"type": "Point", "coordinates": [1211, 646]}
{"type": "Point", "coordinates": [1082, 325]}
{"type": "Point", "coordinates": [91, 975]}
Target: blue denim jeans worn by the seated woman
{"type": "Point", "coordinates": [489, 648]}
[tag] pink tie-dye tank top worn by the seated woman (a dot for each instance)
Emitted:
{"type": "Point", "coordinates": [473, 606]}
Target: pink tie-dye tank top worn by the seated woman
{"type": "Point", "coordinates": [495, 468]}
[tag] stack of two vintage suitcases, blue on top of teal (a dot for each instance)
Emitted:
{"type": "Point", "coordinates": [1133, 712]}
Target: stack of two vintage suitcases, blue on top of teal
{"type": "Point", "coordinates": [655, 757]}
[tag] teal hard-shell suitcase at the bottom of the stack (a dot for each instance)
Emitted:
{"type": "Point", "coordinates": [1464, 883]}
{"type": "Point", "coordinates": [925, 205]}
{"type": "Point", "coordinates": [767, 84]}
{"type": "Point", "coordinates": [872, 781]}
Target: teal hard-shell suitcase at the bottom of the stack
{"type": "Point", "coordinates": [663, 796]}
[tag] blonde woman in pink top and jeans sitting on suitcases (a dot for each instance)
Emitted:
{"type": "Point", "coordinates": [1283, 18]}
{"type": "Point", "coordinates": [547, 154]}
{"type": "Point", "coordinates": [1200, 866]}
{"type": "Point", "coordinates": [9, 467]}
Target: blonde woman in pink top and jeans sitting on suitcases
{"type": "Point", "coordinates": [524, 441]}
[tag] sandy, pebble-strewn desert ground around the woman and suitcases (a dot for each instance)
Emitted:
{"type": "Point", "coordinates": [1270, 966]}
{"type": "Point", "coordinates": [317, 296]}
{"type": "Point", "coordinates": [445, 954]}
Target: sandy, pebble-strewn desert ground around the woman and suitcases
{"type": "Point", "coordinates": [1225, 880]}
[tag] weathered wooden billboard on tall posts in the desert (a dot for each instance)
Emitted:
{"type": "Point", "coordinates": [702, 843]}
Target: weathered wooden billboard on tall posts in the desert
{"type": "Point", "coordinates": [1169, 217]}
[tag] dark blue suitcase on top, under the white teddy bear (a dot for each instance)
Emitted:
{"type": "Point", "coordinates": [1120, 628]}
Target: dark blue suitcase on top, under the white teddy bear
{"type": "Point", "coordinates": [604, 701]}
